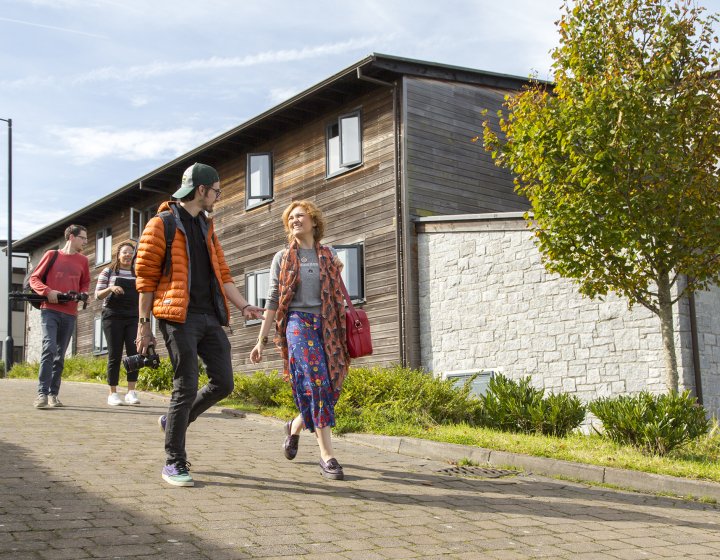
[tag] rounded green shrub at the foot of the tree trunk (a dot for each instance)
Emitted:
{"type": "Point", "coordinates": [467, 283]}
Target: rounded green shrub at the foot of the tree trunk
{"type": "Point", "coordinates": [655, 424]}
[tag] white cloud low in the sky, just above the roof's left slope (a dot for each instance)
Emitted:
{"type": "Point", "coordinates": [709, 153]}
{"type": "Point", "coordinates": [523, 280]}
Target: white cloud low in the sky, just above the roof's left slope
{"type": "Point", "coordinates": [86, 145]}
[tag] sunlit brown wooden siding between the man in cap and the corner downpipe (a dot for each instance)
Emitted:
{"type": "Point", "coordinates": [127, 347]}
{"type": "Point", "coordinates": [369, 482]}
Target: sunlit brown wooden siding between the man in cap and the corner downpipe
{"type": "Point", "coordinates": [358, 207]}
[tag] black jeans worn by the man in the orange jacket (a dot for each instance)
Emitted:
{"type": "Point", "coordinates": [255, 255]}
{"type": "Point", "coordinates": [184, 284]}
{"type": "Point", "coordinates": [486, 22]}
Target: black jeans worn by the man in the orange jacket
{"type": "Point", "coordinates": [200, 335]}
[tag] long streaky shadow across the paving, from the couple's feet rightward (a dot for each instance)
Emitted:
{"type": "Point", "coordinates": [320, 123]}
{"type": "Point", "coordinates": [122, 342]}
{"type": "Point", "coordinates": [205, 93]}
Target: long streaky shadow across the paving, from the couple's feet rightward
{"type": "Point", "coordinates": [509, 495]}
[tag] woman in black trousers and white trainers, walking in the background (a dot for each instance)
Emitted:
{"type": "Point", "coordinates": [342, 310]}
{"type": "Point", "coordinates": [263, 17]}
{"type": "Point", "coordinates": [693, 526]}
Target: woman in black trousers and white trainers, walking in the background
{"type": "Point", "coordinates": [116, 287]}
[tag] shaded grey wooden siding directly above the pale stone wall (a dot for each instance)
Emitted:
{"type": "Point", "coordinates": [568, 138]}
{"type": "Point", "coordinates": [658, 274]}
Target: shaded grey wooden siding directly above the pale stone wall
{"type": "Point", "coordinates": [446, 172]}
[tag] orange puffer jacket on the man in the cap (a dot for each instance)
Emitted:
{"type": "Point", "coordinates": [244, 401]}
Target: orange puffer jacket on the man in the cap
{"type": "Point", "coordinates": [171, 293]}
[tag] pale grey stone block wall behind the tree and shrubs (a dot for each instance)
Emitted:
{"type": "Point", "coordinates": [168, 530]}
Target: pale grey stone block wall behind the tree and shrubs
{"type": "Point", "coordinates": [486, 302]}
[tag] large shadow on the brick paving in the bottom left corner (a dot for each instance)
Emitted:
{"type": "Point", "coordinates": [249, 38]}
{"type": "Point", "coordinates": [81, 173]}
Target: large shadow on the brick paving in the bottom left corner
{"type": "Point", "coordinates": [48, 515]}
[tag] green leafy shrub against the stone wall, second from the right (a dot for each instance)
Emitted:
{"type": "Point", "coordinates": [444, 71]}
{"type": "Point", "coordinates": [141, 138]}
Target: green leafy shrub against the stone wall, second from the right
{"type": "Point", "coordinates": [516, 406]}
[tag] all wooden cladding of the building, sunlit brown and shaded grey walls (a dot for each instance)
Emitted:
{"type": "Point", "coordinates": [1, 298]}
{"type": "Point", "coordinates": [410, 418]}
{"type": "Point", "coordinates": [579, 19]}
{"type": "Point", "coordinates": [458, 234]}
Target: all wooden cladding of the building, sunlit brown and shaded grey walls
{"type": "Point", "coordinates": [444, 173]}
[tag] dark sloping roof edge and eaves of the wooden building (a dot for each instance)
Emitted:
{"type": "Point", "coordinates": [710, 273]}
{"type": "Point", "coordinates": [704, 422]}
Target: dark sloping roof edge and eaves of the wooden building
{"type": "Point", "coordinates": [369, 73]}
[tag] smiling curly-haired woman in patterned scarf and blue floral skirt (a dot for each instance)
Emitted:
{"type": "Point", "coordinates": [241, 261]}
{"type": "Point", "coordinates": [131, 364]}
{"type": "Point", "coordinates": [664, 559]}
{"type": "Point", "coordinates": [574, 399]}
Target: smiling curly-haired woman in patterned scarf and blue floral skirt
{"type": "Point", "coordinates": [306, 303]}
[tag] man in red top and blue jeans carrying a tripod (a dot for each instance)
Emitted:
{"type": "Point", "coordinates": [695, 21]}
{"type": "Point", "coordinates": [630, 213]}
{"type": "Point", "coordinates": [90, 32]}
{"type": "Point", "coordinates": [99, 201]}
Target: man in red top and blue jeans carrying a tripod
{"type": "Point", "coordinates": [69, 272]}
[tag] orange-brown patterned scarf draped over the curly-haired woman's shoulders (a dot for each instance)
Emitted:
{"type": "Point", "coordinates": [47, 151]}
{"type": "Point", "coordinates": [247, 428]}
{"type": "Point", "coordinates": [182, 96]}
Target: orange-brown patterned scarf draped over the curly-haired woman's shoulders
{"type": "Point", "coordinates": [332, 311]}
